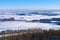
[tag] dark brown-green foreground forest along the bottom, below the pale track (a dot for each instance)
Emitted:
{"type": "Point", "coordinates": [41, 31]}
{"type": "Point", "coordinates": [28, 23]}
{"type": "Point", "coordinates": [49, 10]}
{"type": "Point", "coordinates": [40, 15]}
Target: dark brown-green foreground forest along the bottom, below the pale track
{"type": "Point", "coordinates": [36, 34]}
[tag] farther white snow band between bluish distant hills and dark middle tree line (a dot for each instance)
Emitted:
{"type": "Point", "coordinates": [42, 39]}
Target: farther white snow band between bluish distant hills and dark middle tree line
{"type": "Point", "coordinates": [27, 17]}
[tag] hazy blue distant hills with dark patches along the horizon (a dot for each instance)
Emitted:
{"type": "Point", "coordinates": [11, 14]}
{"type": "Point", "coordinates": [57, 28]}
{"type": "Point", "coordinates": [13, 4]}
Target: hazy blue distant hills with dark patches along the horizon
{"type": "Point", "coordinates": [28, 12]}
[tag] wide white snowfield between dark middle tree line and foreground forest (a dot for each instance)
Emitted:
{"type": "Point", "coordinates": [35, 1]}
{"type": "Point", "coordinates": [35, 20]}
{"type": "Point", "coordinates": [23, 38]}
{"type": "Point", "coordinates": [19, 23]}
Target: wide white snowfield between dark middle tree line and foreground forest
{"type": "Point", "coordinates": [24, 25]}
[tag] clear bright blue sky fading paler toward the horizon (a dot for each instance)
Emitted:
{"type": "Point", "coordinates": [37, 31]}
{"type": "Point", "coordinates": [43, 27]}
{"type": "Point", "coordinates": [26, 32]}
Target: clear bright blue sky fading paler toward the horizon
{"type": "Point", "coordinates": [29, 4]}
